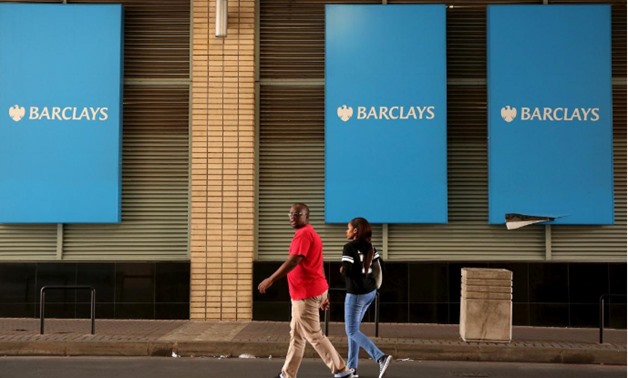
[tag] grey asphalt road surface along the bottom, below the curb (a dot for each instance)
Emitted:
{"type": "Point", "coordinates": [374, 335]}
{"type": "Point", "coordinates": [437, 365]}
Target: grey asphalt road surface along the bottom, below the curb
{"type": "Point", "coordinates": [168, 367]}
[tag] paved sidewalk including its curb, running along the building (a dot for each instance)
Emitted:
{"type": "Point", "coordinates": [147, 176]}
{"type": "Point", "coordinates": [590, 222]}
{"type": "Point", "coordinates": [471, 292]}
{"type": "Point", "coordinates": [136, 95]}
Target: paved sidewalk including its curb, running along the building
{"type": "Point", "coordinates": [71, 337]}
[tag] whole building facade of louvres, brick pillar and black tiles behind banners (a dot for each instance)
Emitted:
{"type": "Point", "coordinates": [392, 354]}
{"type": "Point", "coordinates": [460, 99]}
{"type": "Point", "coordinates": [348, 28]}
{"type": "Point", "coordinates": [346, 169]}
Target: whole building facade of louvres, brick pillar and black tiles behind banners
{"type": "Point", "coordinates": [222, 134]}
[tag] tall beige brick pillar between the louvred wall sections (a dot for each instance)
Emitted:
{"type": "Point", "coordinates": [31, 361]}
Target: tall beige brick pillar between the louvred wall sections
{"type": "Point", "coordinates": [222, 163]}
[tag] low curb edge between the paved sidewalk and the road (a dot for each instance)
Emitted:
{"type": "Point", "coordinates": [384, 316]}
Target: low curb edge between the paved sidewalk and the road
{"type": "Point", "coordinates": [452, 351]}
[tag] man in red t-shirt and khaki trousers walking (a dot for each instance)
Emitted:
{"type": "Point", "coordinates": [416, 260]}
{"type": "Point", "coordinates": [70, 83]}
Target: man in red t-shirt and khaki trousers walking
{"type": "Point", "coordinates": [308, 293]}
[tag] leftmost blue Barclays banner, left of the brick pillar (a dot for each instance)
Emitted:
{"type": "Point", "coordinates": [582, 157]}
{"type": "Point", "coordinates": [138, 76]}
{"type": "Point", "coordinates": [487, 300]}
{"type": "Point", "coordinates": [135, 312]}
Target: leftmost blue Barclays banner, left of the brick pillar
{"type": "Point", "coordinates": [61, 105]}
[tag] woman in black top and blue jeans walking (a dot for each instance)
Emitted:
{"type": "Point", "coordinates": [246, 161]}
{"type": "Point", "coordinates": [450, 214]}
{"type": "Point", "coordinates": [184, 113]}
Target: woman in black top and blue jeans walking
{"type": "Point", "coordinates": [358, 255]}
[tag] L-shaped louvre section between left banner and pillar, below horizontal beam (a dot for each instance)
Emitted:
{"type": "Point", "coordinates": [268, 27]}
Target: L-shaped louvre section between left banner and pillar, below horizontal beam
{"type": "Point", "coordinates": [154, 184]}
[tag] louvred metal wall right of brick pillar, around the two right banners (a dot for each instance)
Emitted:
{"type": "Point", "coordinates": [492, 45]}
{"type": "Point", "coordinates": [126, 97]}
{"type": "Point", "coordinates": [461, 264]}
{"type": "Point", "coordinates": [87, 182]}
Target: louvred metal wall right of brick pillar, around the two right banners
{"type": "Point", "coordinates": [291, 146]}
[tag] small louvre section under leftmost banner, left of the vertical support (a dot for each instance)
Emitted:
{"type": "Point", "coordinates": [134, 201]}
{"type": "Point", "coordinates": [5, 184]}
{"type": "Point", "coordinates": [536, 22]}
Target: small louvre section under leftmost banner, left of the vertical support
{"type": "Point", "coordinates": [25, 242]}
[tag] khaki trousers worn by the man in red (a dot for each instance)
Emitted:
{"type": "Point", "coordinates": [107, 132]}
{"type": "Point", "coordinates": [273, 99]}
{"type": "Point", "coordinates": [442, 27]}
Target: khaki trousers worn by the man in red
{"type": "Point", "coordinates": [306, 326]}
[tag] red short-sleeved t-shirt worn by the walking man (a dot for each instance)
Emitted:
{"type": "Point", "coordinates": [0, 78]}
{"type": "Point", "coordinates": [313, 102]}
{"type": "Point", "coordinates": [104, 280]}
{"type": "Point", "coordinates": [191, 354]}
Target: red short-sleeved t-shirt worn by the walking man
{"type": "Point", "coordinates": [307, 280]}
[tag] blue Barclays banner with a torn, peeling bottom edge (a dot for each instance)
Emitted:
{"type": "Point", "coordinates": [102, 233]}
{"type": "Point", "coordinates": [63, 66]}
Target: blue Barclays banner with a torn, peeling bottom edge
{"type": "Point", "coordinates": [550, 113]}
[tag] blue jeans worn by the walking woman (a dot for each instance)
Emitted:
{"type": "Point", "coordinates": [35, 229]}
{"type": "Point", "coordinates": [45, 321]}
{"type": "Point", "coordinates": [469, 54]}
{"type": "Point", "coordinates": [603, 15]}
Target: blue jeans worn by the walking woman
{"type": "Point", "coordinates": [355, 308]}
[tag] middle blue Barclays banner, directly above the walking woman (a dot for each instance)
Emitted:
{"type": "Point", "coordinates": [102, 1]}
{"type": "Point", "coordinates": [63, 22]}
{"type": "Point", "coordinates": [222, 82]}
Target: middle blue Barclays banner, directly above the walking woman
{"type": "Point", "coordinates": [385, 113]}
